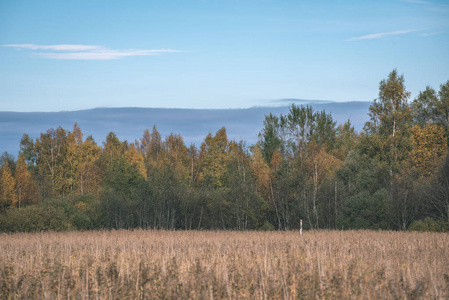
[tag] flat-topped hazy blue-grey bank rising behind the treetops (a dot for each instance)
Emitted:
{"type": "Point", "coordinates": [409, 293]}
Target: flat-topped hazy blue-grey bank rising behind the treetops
{"type": "Point", "coordinates": [192, 124]}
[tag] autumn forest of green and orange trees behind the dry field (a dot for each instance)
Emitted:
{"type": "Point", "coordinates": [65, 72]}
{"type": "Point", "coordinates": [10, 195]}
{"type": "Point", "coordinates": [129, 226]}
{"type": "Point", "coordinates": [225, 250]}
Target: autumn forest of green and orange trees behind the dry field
{"type": "Point", "coordinates": [393, 175]}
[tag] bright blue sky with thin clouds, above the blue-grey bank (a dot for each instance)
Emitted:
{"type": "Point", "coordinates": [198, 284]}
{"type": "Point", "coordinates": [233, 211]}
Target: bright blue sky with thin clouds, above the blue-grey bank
{"type": "Point", "coordinates": [72, 55]}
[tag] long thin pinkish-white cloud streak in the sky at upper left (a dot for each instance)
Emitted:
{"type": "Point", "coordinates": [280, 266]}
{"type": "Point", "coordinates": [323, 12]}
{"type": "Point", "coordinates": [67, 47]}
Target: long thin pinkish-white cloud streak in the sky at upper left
{"type": "Point", "coordinates": [86, 52]}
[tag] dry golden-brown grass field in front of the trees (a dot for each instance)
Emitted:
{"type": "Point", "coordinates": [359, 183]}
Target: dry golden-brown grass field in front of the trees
{"type": "Point", "coordinates": [145, 264]}
